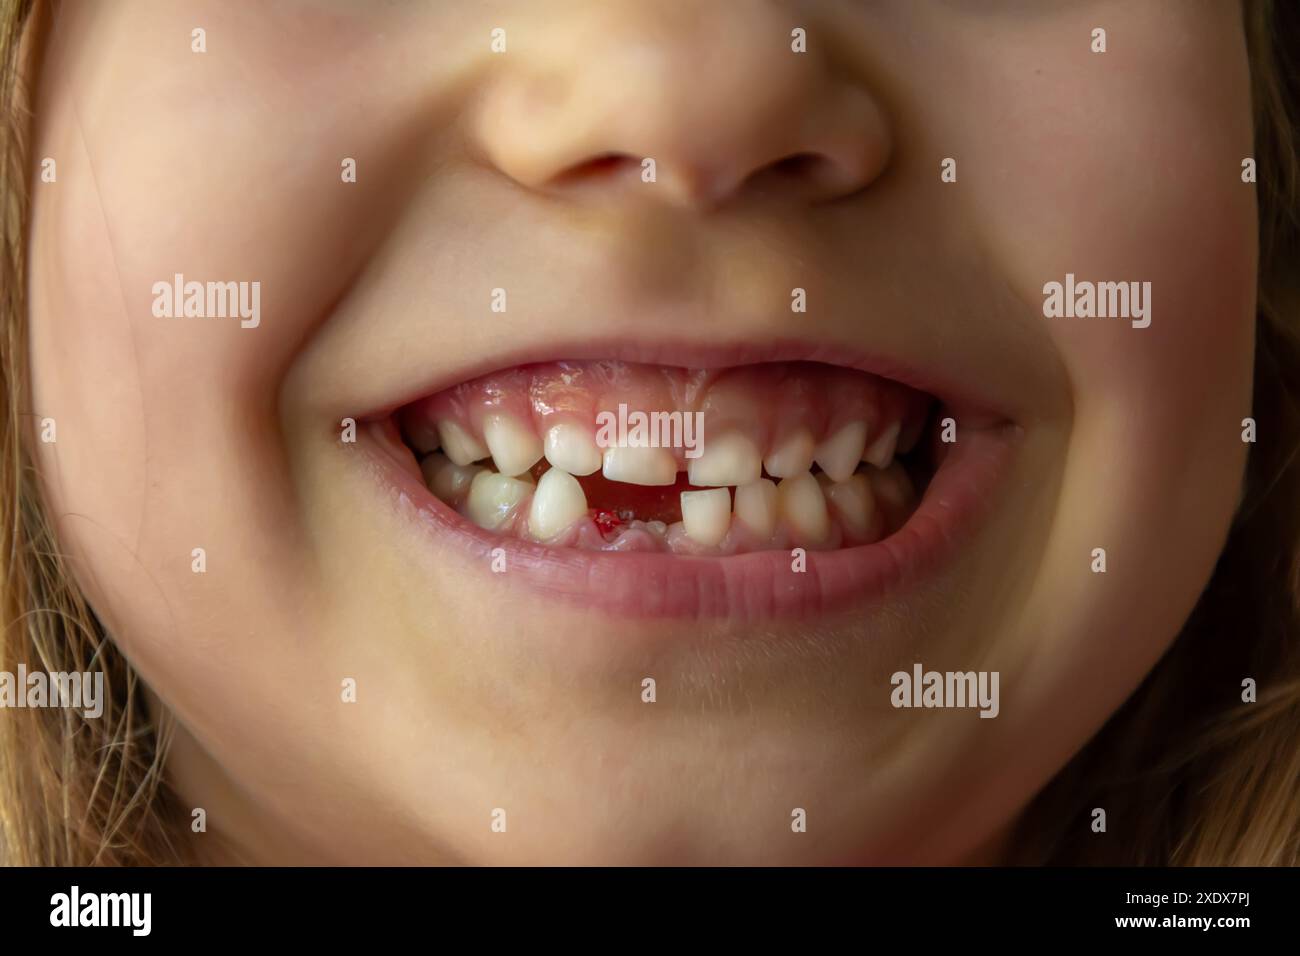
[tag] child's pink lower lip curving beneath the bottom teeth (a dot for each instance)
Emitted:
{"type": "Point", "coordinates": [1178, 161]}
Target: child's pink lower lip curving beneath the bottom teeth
{"type": "Point", "coordinates": [759, 586]}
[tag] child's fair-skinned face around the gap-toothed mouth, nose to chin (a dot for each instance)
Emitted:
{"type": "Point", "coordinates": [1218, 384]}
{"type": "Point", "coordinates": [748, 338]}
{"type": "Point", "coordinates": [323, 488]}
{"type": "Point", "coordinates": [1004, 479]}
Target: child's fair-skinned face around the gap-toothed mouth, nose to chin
{"type": "Point", "coordinates": [523, 687]}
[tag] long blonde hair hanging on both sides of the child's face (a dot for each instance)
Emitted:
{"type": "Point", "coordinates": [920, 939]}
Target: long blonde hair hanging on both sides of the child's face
{"type": "Point", "coordinates": [1188, 773]}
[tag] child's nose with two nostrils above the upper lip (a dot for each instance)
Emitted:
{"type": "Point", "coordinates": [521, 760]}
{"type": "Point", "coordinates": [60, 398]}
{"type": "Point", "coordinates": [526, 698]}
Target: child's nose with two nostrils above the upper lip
{"type": "Point", "coordinates": [695, 103]}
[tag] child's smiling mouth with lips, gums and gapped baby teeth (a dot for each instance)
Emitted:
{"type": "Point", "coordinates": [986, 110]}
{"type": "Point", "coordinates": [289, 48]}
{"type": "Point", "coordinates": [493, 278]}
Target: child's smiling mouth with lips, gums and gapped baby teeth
{"type": "Point", "coordinates": [766, 490]}
